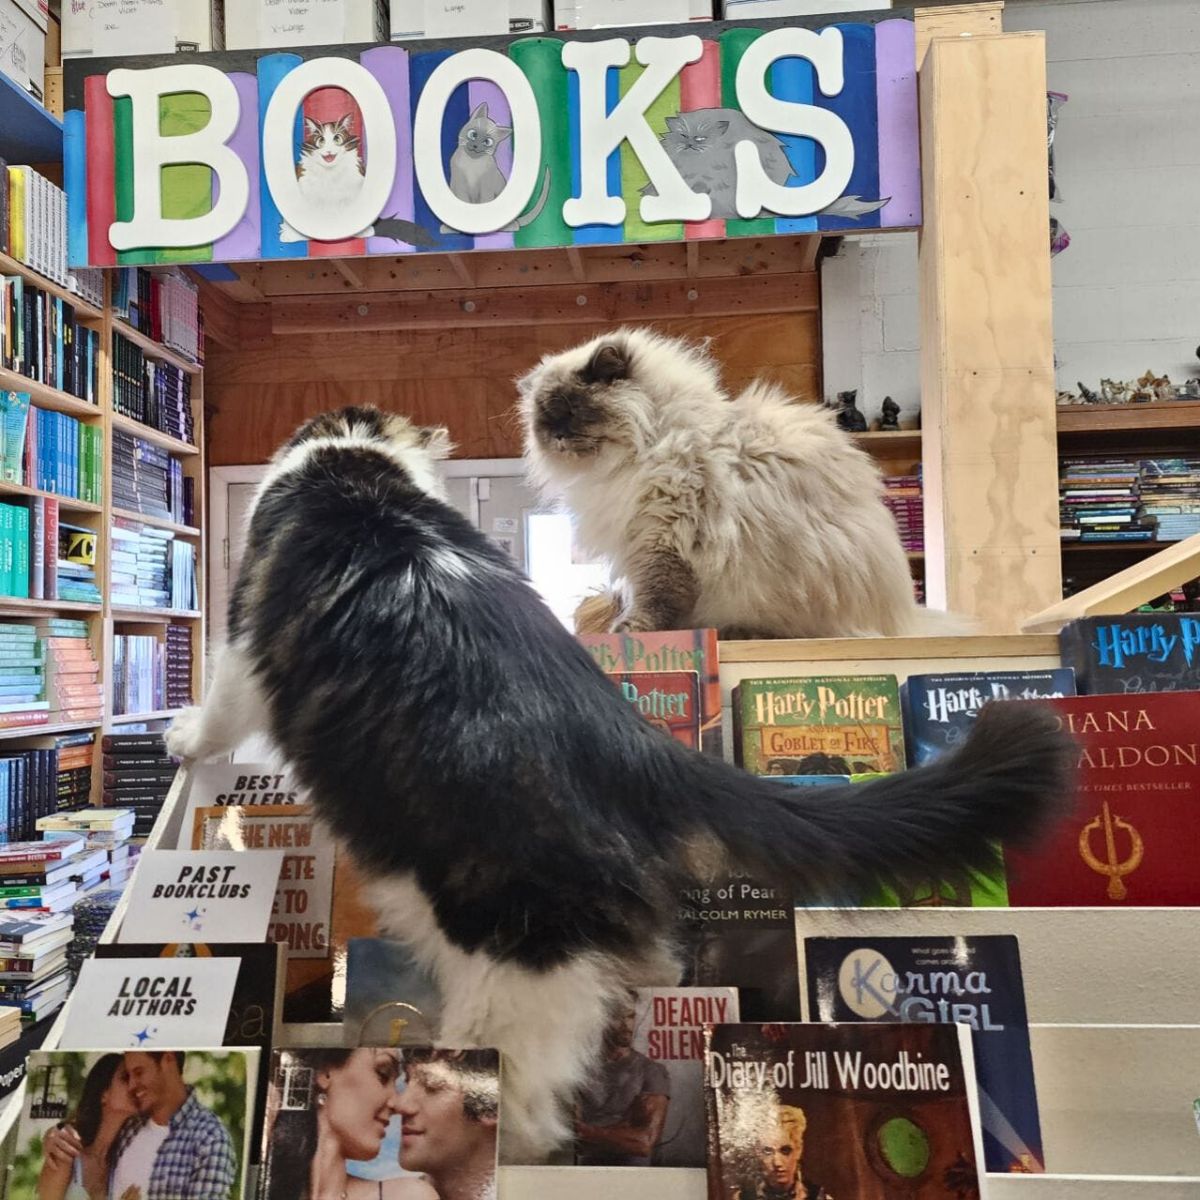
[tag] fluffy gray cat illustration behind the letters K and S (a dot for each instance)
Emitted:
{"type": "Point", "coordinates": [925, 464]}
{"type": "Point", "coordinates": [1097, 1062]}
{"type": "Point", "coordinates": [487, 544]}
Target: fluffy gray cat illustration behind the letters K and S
{"type": "Point", "coordinates": [700, 145]}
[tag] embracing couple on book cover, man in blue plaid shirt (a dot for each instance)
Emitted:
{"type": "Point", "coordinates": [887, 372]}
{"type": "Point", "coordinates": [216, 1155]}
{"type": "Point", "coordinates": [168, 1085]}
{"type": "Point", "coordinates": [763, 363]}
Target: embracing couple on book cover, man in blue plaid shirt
{"type": "Point", "coordinates": [140, 1132]}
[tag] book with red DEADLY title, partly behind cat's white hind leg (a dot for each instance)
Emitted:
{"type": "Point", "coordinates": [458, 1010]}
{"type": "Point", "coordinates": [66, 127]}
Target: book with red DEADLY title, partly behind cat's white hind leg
{"type": "Point", "coordinates": [645, 1105]}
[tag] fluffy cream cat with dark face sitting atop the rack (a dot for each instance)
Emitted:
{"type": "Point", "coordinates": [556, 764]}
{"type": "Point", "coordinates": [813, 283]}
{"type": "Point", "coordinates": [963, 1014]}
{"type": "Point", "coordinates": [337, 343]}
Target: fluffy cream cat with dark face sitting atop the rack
{"type": "Point", "coordinates": [753, 514]}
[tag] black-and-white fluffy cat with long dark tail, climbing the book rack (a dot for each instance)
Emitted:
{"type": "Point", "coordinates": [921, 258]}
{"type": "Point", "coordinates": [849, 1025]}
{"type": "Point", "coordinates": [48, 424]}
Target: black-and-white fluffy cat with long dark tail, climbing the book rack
{"type": "Point", "coordinates": [520, 826]}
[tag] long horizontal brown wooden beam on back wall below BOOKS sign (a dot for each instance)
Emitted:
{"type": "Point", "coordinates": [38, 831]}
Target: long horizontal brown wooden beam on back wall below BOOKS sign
{"type": "Point", "coordinates": [580, 305]}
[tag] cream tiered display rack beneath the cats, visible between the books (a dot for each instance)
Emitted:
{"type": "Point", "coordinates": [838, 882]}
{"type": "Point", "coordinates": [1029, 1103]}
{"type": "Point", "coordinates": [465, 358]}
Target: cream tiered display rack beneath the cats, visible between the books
{"type": "Point", "coordinates": [1111, 993]}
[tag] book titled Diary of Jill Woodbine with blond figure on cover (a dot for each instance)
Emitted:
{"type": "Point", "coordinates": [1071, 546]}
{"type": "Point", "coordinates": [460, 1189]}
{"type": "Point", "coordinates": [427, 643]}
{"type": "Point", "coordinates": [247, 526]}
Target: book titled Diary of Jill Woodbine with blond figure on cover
{"type": "Point", "coordinates": [830, 1112]}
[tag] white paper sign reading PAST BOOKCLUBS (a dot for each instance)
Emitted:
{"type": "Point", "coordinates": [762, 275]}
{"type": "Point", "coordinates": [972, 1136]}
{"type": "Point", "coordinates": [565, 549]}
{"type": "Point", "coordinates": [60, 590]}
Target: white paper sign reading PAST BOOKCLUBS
{"type": "Point", "coordinates": [181, 896]}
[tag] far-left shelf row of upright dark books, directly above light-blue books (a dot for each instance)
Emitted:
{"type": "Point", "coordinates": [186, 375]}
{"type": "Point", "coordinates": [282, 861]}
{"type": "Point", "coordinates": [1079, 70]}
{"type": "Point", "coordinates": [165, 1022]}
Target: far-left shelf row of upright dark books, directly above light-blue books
{"type": "Point", "coordinates": [43, 340]}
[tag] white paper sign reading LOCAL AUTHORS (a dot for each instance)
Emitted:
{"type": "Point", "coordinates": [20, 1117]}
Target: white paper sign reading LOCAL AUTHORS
{"type": "Point", "coordinates": [149, 1004]}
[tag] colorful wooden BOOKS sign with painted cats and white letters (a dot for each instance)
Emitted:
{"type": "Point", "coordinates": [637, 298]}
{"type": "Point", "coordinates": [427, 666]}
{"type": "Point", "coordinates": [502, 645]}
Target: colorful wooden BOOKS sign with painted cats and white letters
{"type": "Point", "coordinates": [657, 135]}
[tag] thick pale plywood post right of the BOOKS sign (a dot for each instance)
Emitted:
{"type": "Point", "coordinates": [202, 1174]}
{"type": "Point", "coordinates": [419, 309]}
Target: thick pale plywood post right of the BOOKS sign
{"type": "Point", "coordinates": [987, 357]}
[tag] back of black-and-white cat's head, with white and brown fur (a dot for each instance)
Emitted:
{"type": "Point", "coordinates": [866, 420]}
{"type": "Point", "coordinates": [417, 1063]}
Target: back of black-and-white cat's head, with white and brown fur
{"type": "Point", "coordinates": [416, 448]}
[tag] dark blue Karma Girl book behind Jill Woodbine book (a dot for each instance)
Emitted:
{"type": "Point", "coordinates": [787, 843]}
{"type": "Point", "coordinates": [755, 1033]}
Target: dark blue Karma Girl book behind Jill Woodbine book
{"type": "Point", "coordinates": [970, 981]}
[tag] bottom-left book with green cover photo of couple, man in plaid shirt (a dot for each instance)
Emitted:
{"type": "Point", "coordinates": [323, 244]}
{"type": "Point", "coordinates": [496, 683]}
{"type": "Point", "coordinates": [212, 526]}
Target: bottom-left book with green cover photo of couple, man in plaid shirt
{"type": "Point", "coordinates": [208, 1133]}
